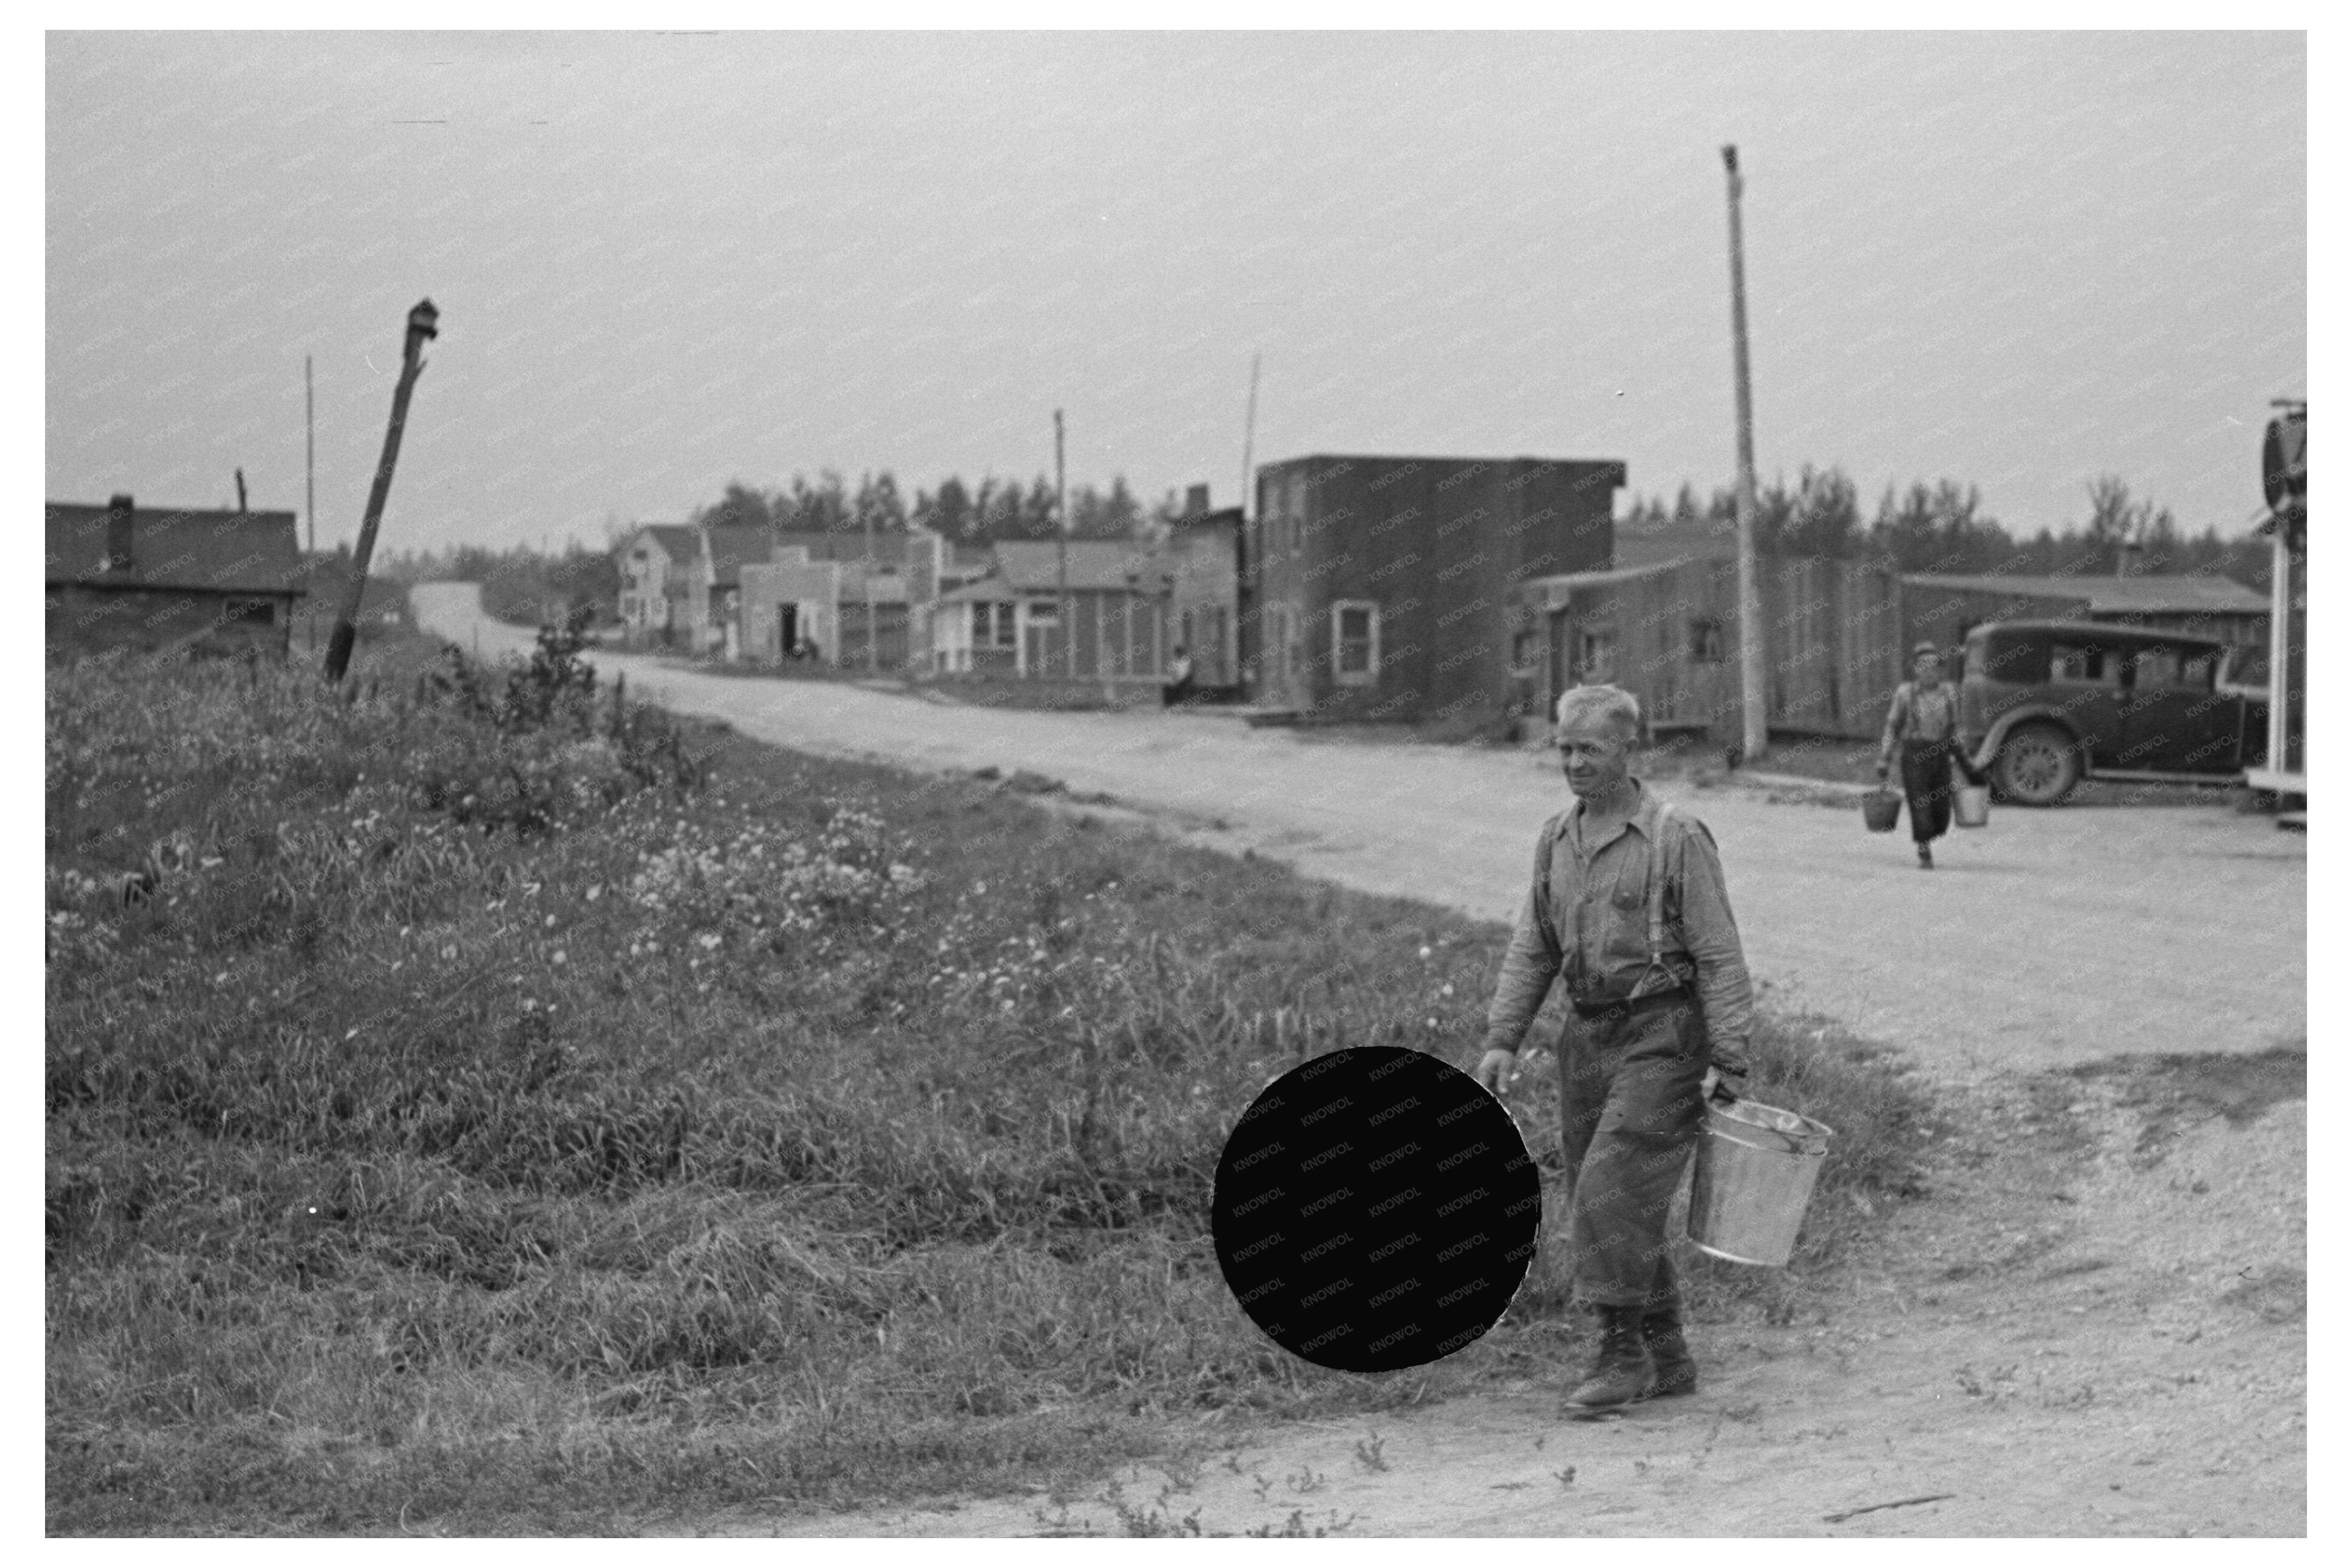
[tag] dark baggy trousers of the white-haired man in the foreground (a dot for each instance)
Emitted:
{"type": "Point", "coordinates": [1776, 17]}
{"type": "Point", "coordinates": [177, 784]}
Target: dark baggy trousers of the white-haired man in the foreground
{"type": "Point", "coordinates": [1629, 1120]}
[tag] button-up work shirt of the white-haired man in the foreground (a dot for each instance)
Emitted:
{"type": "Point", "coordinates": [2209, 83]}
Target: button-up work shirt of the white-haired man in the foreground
{"type": "Point", "coordinates": [1598, 939]}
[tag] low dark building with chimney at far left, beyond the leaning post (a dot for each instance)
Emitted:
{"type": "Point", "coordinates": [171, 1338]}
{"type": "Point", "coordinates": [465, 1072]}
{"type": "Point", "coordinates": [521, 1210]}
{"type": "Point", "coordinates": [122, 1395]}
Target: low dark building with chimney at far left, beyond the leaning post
{"type": "Point", "coordinates": [171, 579]}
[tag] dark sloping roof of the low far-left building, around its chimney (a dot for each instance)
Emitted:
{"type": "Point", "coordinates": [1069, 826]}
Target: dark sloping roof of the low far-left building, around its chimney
{"type": "Point", "coordinates": [178, 549]}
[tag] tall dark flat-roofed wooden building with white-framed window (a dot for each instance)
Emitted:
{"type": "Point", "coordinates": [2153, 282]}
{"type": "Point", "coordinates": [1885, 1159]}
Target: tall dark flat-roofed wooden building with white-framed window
{"type": "Point", "coordinates": [1387, 587]}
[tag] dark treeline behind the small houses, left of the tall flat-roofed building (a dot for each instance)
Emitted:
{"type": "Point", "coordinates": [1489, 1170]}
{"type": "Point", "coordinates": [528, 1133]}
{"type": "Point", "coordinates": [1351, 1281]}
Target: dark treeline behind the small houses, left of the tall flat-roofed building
{"type": "Point", "coordinates": [963, 514]}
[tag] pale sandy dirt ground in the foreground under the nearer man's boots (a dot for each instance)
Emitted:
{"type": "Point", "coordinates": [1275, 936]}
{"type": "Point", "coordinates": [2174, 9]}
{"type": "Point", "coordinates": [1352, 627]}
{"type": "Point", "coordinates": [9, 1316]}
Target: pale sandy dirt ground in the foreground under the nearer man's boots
{"type": "Point", "coordinates": [2080, 1336]}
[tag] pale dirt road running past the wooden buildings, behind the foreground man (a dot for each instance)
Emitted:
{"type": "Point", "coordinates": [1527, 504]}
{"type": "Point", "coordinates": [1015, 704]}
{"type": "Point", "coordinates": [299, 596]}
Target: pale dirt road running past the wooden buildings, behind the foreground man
{"type": "Point", "coordinates": [2047, 939]}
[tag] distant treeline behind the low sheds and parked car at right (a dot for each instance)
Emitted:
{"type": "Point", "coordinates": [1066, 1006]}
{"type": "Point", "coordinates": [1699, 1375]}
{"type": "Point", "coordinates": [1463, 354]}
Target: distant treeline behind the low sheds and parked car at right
{"type": "Point", "coordinates": [1946, 528]}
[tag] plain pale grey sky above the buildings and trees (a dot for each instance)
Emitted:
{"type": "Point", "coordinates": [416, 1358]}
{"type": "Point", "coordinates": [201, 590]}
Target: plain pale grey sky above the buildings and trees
{"type": "Point", "coordinates": [669, 262]}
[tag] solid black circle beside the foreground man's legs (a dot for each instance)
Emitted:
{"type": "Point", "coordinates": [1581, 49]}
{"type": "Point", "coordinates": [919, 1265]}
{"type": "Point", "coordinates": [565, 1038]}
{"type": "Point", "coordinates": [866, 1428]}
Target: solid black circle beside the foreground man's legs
{"type": "Point", "coordinates": [1375, 1209]}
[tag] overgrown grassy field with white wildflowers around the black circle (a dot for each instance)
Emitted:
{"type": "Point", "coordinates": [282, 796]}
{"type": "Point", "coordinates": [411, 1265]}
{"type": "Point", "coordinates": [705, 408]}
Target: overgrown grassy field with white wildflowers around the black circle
{"type": "Point", "coordinates": [479, 1104]}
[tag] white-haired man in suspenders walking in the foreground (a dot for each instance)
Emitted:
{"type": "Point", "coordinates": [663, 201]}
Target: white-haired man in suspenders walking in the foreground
{"type": "Point", "coordinates": [1629, 911]}
